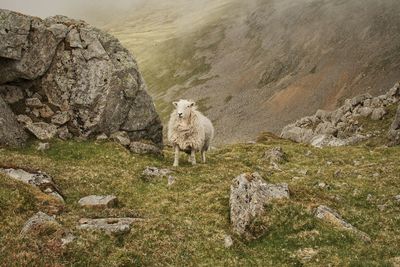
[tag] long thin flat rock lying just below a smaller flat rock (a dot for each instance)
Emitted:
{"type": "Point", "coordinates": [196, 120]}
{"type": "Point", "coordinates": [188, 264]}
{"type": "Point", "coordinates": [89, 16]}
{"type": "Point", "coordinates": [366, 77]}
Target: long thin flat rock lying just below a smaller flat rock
{"type": "Point", "coordinates": [116, 226]}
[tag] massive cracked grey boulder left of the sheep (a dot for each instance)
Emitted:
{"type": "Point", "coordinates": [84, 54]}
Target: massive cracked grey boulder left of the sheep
{"type": "Point", "coordinates": [65, 78]}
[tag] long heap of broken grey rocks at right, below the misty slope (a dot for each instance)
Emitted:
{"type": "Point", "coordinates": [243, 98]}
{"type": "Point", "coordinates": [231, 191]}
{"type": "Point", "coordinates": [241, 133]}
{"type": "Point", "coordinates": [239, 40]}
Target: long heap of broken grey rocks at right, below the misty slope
{"type": "Point", "coordinates": [341, 127]}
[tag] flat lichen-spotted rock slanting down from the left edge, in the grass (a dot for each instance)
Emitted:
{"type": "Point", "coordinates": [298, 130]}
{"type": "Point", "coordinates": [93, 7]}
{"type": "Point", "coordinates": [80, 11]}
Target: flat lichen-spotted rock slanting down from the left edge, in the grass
{"type": "Point", "coordinates": [41, 180]}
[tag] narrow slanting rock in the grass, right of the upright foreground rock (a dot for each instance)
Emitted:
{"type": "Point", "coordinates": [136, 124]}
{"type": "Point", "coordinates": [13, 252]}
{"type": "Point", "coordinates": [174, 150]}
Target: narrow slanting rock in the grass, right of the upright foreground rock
{"type": "Point", "coordinates": [326, 214]}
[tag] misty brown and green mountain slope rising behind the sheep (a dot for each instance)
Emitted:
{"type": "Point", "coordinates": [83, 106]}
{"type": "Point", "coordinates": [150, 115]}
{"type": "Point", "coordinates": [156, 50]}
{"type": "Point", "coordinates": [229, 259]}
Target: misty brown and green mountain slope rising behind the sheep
{"type": "Point", "coordinates": [257, 65]}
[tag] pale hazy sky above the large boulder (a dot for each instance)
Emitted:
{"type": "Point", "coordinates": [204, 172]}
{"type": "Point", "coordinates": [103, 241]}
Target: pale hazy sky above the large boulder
{"type": "Point", "coordinates": [93, 11]}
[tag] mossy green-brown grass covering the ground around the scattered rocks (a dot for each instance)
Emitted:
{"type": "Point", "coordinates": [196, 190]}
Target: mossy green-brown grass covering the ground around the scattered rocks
{"type": "Point", "coordinates": [186, 223]}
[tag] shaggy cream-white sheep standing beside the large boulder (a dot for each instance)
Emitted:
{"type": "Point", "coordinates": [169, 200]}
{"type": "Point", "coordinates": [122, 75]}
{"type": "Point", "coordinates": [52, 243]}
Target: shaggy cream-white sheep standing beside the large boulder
{"type": "Point", "coordinates": [189, 131]}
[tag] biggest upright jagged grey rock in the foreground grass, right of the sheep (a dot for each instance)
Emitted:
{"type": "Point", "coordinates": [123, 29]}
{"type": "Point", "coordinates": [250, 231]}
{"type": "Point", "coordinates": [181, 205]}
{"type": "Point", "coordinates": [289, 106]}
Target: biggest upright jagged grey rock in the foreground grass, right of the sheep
{"type": "Point", "coordinates": [249, 194]}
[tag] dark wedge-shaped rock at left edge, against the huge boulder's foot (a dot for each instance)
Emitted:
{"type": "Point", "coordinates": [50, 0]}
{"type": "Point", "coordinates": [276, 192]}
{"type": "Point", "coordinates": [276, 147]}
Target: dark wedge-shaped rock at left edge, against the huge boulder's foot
{"type": "Point", "coordinates": [11, 132]}
